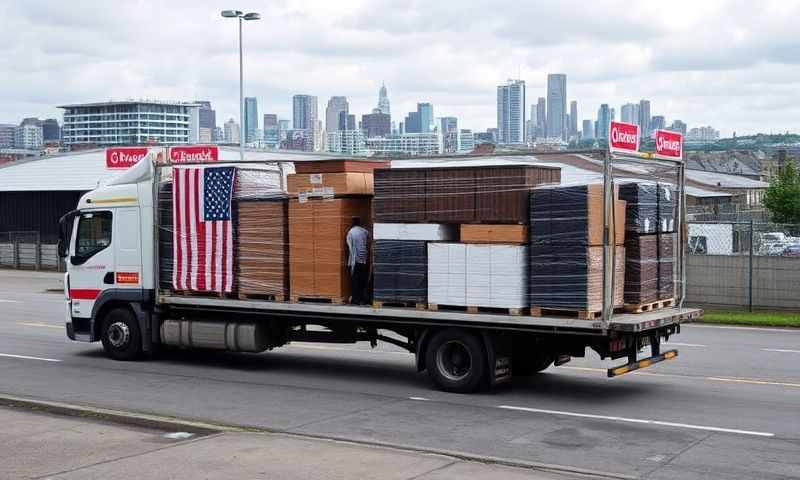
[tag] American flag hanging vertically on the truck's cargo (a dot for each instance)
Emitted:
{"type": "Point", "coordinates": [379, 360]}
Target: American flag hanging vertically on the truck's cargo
{"type": "Point", "coordinates": [203, 231]}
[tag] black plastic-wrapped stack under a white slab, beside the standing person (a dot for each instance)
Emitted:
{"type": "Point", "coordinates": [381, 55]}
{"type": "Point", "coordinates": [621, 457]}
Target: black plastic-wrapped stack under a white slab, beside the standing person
{"type": "Point", "coordinates": [400, 271]}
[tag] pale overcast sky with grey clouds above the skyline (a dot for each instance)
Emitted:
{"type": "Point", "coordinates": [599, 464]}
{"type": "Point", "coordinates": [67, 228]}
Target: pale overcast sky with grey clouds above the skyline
{"type": "Point", "coordinates": [734, 65]}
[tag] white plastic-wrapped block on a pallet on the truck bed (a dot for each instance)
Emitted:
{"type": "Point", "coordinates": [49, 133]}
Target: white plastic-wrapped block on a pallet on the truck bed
{"type": "Point", "coordinates": [471, 275]}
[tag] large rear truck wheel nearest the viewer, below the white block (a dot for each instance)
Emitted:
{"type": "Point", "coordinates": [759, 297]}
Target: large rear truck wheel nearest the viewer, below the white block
{"type": "Point", "coordinates": [456, 361]}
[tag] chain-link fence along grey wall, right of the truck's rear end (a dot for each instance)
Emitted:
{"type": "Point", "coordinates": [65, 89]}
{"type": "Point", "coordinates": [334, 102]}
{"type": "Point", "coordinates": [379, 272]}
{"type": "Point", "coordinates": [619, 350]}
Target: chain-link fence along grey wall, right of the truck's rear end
{"type": "Point", "coordinates": [743, 264]}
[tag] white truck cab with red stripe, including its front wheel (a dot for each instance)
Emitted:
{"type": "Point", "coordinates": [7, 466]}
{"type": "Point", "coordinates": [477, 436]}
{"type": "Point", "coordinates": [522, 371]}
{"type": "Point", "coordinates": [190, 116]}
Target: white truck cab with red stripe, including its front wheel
{"type": "Point", "coordinates": [107, 243]}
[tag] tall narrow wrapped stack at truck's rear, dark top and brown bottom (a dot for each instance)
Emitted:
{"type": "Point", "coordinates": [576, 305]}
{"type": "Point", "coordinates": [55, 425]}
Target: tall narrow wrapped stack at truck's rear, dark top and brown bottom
{"type": "Point", "coordinates": [641, 242]}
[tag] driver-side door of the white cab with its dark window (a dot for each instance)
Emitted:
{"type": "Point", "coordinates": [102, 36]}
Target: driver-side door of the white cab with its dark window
{"type": "Point", "coordinates": [91, 261]}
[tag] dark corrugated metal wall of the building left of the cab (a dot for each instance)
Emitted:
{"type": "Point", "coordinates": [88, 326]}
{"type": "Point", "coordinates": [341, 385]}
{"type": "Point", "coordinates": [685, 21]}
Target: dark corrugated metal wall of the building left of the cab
{"type": "Point", "coordinates": [35, 211]}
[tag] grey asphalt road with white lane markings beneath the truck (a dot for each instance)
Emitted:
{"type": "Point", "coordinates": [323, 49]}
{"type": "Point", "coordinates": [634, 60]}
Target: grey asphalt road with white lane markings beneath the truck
{"type": "Point", "coordinates": [728, 407]}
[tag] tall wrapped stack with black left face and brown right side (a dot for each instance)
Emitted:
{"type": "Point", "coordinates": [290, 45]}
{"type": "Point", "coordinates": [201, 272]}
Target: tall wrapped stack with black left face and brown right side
{"type": "Point", "coordinates": [566, 261]}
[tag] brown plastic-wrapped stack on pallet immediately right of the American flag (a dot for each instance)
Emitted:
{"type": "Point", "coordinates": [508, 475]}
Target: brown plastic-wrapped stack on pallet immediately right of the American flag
{"type": "Point", "coordinates": [262, 239]}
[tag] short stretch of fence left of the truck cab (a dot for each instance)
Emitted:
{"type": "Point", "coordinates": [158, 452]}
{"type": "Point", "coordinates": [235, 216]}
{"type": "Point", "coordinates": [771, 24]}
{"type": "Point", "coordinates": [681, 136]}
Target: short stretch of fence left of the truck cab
{"type": "Point", "coordinates": [25, 250]}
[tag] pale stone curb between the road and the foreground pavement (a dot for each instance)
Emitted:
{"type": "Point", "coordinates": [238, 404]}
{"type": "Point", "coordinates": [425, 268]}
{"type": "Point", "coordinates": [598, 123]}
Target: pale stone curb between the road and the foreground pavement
{"type": "Point", "coordinates": [160, 422]}
